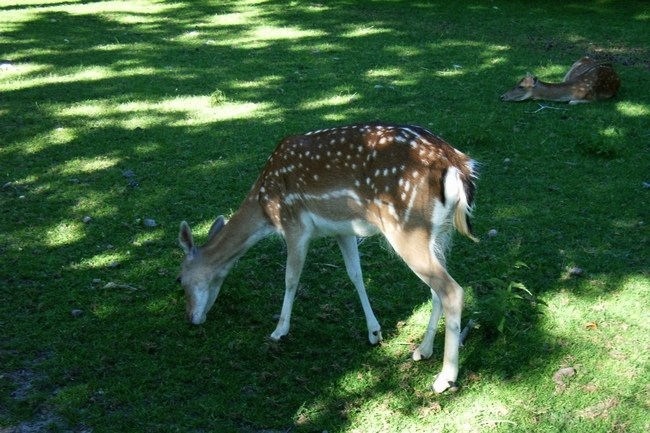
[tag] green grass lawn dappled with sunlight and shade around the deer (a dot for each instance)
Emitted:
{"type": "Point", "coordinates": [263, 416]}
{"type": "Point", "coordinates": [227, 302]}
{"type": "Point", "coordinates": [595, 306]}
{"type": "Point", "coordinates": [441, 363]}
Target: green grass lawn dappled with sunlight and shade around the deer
{"type": "Point", "coordinates": [192, 96]}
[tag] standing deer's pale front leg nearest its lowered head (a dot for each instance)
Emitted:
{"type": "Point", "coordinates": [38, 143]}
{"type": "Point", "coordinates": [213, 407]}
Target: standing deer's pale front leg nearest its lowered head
{"type": "Point", "coordinates": [296, 254]}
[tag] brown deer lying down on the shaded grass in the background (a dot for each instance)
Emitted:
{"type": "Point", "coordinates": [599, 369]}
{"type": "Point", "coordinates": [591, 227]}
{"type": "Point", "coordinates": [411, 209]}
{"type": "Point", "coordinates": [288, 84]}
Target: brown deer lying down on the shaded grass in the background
{"type": "Point", "coordinates": [586, 81]}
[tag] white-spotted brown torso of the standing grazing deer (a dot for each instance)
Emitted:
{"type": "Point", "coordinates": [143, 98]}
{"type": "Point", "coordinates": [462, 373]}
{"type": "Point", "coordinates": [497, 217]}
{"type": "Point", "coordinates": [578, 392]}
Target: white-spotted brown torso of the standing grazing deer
{"type": "Point", "coordinates": [361, 178]}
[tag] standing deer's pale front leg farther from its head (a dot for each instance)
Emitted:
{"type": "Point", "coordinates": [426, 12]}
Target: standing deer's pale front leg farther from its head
{"type": "Point", "coordinates": [350, 252]}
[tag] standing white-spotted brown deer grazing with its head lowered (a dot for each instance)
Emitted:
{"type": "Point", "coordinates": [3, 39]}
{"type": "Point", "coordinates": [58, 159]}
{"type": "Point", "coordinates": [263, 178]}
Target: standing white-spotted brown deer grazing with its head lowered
{"type": "Point", "coordinates": [350, 181]}
